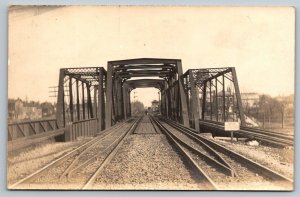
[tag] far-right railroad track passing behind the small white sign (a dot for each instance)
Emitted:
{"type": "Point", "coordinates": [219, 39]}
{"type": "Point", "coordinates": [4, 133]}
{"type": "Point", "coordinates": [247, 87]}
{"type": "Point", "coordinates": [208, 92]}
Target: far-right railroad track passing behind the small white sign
{"type": "Point", "coordinates": [264, 136]}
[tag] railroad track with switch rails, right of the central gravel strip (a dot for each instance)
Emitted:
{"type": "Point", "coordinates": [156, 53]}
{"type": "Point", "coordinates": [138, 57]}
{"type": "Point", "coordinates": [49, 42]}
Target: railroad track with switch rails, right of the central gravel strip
{"type": "Point", "coordinates": [233, 164]}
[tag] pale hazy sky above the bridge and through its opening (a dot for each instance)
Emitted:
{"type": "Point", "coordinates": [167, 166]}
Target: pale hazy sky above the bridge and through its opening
{"type": "Point", "coordinates": [258, 41]}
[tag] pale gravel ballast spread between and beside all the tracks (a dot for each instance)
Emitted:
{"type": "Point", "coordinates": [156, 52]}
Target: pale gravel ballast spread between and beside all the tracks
{"type": "Point", "coordinates": [145, 161]}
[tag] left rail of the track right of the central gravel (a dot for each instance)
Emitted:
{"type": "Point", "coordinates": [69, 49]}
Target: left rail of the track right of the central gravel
{"type": "Point", "coordinates": [205, 179]}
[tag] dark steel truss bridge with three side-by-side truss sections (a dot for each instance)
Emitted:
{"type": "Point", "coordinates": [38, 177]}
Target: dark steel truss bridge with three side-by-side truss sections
{"type": "Point", "coordinates": [90, 93]}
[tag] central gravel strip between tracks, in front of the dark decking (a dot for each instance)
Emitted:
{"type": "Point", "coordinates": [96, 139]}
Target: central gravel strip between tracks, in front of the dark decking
{"type": "Point", "coordinates": [146, 162]}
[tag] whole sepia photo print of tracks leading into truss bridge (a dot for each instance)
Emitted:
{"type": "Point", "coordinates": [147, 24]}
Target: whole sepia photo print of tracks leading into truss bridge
{"type": "Point", "coordinates": [151, 98]}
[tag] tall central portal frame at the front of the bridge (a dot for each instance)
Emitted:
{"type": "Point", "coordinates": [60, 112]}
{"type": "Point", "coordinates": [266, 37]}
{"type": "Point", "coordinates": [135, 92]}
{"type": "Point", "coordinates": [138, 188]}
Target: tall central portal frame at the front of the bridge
{"type": "Point", "coordinates": [121, 70]}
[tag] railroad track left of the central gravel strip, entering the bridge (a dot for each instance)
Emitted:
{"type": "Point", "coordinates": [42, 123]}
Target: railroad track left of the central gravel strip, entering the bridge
{"type": "Point", "coordinates": [86, 160]}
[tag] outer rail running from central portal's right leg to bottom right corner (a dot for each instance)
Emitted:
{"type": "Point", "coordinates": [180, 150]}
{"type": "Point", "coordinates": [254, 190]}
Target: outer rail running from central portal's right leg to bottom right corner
{"type": "Point", "coordinates": [250, 164]}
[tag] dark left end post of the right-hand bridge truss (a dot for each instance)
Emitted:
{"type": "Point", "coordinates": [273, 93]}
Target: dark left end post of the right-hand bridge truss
{"type": "Point", "coordinates": [194, 102]}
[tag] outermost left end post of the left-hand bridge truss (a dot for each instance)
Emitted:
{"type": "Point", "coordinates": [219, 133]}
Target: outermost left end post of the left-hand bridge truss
{"type": "Point", "coordinates": [60, 111]}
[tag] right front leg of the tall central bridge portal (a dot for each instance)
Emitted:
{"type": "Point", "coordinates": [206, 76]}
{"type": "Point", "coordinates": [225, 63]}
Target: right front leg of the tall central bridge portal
{"type": "Point", "coordinates": [183, 99]}
